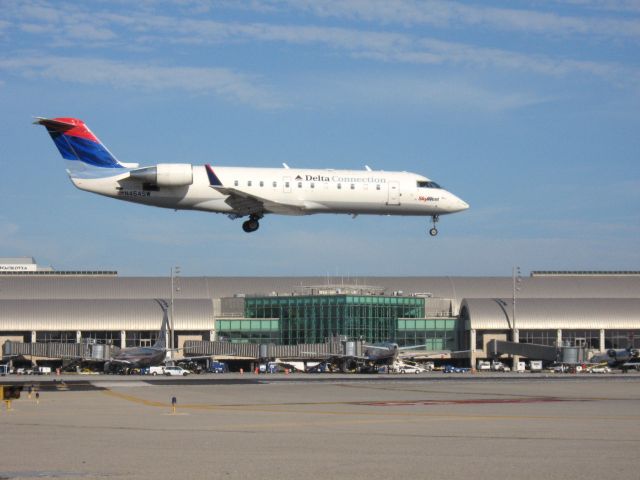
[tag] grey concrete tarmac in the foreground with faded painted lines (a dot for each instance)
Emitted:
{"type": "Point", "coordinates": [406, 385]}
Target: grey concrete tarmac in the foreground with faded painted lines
{"type": "Point", "coordinates": [325, 426]}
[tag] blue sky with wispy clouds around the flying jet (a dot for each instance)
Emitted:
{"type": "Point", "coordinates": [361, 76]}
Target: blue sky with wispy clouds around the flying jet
{"type": "Point", "coordinates": [529, 111]}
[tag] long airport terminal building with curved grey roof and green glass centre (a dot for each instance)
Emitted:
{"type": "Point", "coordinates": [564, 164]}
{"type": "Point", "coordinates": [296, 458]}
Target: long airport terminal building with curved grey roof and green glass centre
{"type": "Point", "coordinates": [458, 314]}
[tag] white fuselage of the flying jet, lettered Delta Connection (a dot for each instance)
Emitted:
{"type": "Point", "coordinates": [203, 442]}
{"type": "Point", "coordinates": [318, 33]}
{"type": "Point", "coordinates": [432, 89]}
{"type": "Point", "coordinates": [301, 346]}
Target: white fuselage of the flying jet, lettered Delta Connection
{"type": "Point", "coordinates": [308, 191]}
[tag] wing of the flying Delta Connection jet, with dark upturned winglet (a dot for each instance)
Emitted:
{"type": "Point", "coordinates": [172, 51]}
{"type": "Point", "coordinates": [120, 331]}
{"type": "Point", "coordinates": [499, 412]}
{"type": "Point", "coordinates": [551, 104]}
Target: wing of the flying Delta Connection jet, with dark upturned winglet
{"type": "Point", "coordinates": [244, 203]}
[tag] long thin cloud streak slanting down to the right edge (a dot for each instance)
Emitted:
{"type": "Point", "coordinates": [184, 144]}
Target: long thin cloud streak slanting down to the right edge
{"type": "Point", "coordinates": [392, 47]}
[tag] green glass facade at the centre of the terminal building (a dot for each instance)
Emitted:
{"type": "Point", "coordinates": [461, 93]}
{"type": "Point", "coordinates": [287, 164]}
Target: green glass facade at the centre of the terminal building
{"type": "Point", "coordinates": [316, 319]}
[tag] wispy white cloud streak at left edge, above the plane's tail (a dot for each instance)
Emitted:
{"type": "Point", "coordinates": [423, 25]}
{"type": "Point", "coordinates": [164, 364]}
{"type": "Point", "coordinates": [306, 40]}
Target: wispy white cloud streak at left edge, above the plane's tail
{"type": "Point", "coordinates": [222, 82]}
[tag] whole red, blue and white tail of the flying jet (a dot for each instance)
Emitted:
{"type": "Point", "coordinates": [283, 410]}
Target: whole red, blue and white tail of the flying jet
{"type": "Point", "coordinates": [84, 152]}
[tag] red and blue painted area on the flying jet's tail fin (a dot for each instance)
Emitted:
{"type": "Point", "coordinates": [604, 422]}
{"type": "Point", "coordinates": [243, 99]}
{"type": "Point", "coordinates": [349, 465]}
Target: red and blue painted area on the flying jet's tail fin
{"type": "Point", "coordinates": [77, 143]}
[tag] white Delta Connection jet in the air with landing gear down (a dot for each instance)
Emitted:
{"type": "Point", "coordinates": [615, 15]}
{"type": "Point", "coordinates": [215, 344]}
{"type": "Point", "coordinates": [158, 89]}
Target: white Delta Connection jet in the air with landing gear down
{"type": "Point", "coordinates": [246, 192]}
